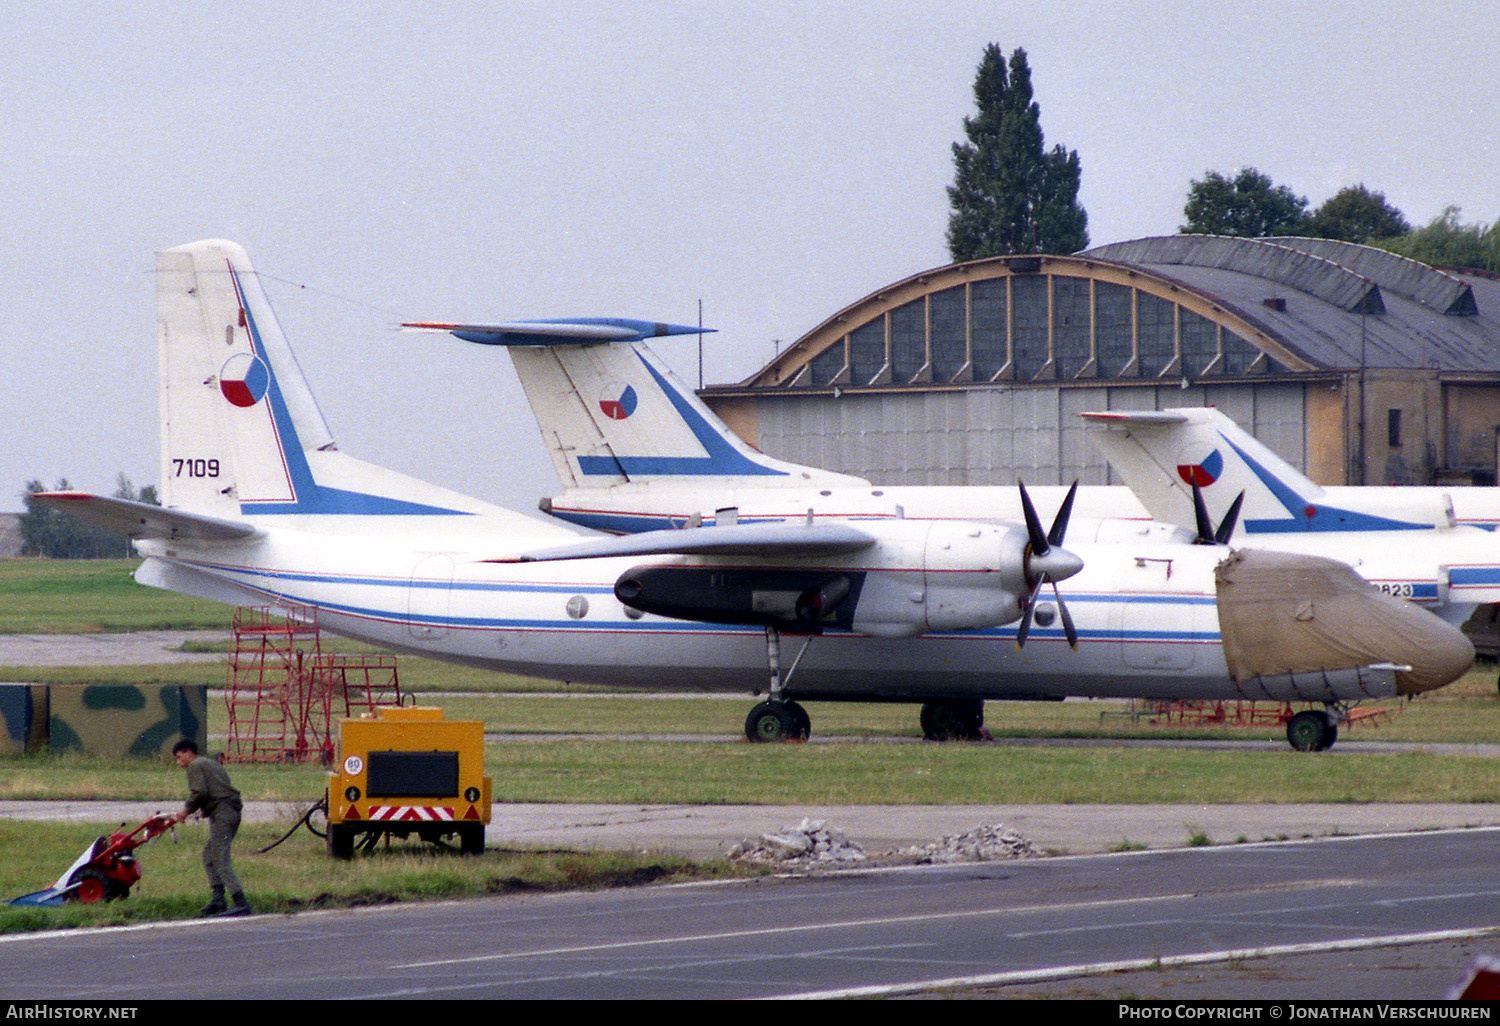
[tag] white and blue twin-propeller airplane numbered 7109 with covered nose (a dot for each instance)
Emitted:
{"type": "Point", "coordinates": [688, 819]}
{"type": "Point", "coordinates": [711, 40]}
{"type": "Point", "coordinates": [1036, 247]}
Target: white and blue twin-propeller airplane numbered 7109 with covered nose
{"type": "Point", "coordinates": [260, 508]}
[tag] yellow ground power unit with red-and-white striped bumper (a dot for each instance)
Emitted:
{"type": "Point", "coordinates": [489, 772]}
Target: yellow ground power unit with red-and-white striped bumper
{"type": "Point", "coordinates": [409, 772]}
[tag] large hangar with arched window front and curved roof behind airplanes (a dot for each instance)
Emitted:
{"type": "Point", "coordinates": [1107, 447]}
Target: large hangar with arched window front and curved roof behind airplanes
{"type": "Point", "coordinates": [1360, 367]}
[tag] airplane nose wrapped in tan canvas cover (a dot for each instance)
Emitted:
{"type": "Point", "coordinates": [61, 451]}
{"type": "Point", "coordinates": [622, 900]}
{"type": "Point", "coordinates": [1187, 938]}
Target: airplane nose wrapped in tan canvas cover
{"type": "Point", "coordinates": [1286, 616]}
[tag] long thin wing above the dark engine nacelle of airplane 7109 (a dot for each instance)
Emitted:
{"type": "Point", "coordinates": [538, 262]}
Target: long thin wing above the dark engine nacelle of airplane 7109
{"type": "Point", "coordinates": [778, 539]}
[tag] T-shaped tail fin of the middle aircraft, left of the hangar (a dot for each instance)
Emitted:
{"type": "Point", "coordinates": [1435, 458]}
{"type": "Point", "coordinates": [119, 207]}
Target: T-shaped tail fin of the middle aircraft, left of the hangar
{"type": "Point", "coordinates": [613, 413]}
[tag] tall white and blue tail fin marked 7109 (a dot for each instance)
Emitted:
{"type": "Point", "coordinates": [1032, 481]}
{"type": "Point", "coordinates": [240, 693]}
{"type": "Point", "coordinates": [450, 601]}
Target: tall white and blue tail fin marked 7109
{"type": "Point", "coordinates": [241, 433]}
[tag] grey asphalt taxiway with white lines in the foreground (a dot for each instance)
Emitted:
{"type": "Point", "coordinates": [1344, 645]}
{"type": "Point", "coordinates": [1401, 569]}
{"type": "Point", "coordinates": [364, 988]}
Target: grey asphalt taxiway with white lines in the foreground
{"type": "Point", "coordinates": [1396, 919]}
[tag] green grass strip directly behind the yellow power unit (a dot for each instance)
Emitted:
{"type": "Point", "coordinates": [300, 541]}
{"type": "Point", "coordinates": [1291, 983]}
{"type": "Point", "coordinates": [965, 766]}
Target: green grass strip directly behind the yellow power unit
{"type": "Point", "coordinates": [946, 775]}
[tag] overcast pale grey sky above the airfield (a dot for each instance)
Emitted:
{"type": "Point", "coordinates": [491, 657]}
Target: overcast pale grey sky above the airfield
{"type": "Point", "coordinates": [481, 161]}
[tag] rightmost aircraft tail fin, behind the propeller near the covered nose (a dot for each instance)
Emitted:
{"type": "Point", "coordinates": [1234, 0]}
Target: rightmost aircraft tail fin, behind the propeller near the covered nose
{"type": "Point", "coordinates": [1162, 455]}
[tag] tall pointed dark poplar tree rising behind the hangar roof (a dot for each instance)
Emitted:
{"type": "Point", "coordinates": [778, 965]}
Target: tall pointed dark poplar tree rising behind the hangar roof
{"type": "Point", "coordinates": [1012, 196]}
